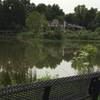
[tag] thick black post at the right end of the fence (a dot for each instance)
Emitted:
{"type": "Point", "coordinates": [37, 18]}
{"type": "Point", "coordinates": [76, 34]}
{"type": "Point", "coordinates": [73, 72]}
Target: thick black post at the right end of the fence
{"type": "Point", "coordinates": [94, 88]}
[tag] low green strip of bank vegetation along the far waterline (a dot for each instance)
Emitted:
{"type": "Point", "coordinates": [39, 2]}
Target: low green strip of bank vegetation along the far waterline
{"type": "Point", "coordinates": [58, 34]}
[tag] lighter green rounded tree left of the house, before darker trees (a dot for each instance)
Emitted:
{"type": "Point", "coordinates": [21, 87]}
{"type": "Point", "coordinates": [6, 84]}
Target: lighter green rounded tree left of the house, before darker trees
{"type": "Point", "coordinates": [35, 21]}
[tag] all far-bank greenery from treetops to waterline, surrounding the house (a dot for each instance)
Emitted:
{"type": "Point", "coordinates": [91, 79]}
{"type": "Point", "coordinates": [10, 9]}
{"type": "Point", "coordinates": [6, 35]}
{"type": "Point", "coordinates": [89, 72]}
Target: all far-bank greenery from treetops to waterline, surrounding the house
{"type": "Point", "coordinates": [21, 15]}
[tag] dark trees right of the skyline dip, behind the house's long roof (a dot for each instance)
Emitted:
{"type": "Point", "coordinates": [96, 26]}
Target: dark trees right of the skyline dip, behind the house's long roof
{"type": "Point", "coordinates": [88, 18]}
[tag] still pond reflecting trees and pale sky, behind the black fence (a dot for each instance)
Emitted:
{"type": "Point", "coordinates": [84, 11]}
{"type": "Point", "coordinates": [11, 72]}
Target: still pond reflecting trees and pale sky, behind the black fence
{"type": "Point", "coordinates": [27, 61]}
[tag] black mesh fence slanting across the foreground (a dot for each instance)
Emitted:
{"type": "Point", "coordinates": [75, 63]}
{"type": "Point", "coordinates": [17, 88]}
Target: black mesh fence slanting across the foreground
{"type": "Point", "coordinates": [83, 87]}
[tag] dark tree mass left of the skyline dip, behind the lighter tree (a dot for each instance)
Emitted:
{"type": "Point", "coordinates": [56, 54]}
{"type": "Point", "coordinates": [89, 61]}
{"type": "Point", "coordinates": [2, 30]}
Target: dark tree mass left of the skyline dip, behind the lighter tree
{"type": "Point", "coordinates": [14, 13]}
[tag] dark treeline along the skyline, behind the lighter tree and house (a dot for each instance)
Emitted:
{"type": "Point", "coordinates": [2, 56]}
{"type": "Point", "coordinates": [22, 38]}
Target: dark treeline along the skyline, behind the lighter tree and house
{"type": "Point", "coordinates": [13, 14]}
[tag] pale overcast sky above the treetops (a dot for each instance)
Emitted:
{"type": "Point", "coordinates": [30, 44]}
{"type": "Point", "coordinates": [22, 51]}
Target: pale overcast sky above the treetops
{"type": "Point", "coordinates": [68, 5]}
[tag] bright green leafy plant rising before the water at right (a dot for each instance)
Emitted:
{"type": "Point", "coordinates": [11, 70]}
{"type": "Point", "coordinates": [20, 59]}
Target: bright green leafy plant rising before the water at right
{"type": "Point", "coordinates": [85, 58]}
